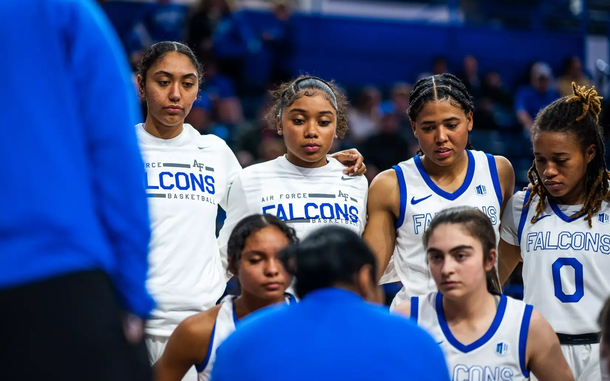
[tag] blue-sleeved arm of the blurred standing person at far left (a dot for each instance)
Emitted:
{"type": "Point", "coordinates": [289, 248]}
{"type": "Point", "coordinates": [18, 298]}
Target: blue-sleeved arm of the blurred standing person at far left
{"type": "Point", "coordinates": [114, 156]}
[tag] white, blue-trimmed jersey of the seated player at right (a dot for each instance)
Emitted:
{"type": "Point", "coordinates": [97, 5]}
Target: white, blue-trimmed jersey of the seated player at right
{"type": "Point", "coordinates": [498, 355]}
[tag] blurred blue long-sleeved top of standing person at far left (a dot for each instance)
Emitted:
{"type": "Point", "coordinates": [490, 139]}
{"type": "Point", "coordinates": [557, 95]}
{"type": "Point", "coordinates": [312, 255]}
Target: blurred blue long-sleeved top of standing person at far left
{"type": "Point", "coordinates": [72, 189]}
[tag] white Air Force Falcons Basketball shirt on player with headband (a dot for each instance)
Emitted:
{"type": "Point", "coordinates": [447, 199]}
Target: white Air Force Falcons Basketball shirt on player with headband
{"type": "Point", "coordinates": [305, 198]}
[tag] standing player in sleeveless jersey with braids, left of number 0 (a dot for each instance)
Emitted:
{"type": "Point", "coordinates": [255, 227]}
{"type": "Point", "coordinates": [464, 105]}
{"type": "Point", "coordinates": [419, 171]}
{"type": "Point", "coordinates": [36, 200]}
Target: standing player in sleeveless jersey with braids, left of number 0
{"type": "Point", "coordinates": [404, 199]}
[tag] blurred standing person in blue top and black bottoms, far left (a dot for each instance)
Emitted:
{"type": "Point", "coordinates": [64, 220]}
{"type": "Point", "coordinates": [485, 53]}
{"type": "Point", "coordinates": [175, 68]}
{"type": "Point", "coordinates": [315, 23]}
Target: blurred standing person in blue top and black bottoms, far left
{"type": "Point", "coordinates": [74, 226]}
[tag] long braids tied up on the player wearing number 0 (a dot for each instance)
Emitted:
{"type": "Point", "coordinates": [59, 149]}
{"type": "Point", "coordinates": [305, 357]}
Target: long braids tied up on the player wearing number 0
{"type": "Point", "coordinates": [577, 115]}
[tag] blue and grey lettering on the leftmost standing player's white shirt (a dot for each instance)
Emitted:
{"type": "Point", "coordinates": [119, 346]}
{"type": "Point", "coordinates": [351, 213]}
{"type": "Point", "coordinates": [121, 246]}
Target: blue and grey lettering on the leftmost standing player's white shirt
{"type": "Point", "coordinates": [184, 181]}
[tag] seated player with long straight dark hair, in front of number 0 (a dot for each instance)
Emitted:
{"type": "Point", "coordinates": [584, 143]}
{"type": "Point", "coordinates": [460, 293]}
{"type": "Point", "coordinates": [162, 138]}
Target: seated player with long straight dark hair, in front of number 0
{"type": "Point", "coordinates": [484, 334]}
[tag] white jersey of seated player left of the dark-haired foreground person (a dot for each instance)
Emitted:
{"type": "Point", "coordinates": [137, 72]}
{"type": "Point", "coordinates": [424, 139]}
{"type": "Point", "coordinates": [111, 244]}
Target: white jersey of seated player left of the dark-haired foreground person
{"type": "Point", "coordinates": [225, 324]}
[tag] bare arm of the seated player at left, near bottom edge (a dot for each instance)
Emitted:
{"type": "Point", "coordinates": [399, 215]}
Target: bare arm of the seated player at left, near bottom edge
{"type": "Point", "coordinates": [187, 346]}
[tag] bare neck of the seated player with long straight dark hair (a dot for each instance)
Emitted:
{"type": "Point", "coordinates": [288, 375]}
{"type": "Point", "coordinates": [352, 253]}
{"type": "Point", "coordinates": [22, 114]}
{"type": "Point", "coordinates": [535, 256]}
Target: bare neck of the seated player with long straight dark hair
{"type": "Point", "coordinates": [469, 307]}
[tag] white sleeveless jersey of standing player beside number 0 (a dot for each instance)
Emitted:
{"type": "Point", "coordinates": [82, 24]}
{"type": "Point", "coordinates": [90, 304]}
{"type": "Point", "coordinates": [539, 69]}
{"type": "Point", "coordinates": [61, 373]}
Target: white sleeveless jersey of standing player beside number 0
{"type": "Point", "coordinates": [421, 199]}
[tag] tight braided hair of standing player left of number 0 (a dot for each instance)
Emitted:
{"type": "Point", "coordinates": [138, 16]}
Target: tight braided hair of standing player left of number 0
{"type": "Point", "coordinates": [437, 88]}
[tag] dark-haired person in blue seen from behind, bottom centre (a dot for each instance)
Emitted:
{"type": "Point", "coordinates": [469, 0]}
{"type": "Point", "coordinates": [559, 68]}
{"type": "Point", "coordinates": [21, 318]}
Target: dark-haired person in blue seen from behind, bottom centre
{"type": "Point", "coordinates": [333, 334]}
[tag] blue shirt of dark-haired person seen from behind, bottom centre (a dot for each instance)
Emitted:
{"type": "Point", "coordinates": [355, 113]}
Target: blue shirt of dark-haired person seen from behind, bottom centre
{"type": "Point", "coordinates": [333, 334]}
